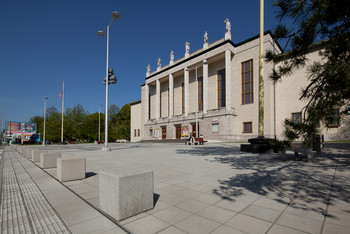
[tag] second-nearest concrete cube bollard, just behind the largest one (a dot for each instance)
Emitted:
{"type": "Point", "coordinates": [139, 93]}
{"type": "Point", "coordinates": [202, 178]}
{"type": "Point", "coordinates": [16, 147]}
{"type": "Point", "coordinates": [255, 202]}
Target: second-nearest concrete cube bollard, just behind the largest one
{"type": "Point", "coordinates": [71, 168]}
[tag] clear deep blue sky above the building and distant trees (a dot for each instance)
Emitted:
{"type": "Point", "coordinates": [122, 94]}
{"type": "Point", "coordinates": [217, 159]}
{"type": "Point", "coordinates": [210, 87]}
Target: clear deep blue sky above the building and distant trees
{"type": "Point", "coordinates": [43, 42]}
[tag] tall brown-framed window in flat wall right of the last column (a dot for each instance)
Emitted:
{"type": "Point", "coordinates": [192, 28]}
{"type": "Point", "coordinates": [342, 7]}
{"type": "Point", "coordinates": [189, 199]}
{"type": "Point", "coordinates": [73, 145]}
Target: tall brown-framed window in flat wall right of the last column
{"type": "Point", "coordinates": [247, 82]}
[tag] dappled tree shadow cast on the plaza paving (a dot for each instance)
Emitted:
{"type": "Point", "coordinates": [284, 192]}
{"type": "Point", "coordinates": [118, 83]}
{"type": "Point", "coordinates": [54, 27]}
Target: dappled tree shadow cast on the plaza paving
{"type": "Point", "coordinates": [313, 184]}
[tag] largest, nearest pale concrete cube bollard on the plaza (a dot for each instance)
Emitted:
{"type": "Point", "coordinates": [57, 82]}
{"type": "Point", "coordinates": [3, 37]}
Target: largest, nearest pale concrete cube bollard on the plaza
{"type": "Point", "coordinates": [125, 192]}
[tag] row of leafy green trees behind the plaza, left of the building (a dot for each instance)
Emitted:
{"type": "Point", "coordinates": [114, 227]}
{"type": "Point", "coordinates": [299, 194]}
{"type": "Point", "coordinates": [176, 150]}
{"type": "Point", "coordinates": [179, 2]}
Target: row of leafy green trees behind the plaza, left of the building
{"type": "Point", "coordinates": [80, 125]}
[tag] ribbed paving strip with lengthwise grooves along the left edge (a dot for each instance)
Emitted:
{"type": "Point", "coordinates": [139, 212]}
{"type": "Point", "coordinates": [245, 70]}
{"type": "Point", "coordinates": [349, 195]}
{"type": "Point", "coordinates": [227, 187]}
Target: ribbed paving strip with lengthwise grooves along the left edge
{"type": "Point", "coordinates": [24, 209]}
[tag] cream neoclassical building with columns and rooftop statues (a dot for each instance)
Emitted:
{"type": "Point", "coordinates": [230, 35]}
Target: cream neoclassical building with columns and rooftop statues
{"type": "Point", "coordinates": [213, 92]}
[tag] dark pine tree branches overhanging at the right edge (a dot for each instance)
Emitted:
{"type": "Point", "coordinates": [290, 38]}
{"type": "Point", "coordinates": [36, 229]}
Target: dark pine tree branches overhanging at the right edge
{"type": "Point", "coordinates": [316, 23]}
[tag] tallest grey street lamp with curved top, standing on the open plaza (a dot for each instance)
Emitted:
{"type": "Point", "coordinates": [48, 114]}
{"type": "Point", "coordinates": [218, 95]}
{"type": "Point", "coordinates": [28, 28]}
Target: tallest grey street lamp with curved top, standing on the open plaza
{"type": "Point", "coordinates": [115, 16]}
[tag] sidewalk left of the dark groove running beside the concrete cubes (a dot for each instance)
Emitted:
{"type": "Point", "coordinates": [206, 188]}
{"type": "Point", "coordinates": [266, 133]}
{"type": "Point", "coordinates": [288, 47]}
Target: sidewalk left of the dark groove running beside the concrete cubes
{"type": "Point", "coordinates": [34, 202]}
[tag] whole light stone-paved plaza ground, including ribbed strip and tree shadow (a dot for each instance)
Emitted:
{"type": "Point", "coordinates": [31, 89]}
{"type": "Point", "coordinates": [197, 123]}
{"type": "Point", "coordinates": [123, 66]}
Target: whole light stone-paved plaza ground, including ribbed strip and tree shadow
{"type": "Point", "coordinates": [213, 188]}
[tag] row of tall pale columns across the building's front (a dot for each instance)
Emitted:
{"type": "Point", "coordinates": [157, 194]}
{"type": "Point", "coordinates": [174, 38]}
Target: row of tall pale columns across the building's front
{"type": "Point", "coordinates": [186, 90]}
